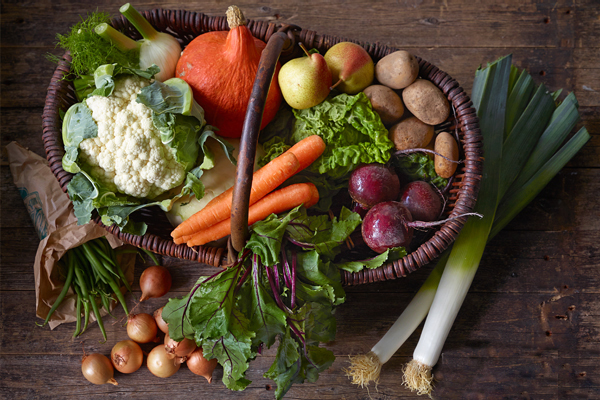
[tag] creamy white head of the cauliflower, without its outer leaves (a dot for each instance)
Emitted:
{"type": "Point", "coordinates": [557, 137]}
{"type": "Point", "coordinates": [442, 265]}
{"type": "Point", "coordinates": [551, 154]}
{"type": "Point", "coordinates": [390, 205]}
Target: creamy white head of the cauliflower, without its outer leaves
{"type": "Point", "coordinates": [128, 154]}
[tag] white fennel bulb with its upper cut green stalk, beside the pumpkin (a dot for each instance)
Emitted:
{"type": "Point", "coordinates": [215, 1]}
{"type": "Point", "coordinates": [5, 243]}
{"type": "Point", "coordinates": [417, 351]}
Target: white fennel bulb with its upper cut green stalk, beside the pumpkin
{"type": "Point", "coordinates": [156, 47]}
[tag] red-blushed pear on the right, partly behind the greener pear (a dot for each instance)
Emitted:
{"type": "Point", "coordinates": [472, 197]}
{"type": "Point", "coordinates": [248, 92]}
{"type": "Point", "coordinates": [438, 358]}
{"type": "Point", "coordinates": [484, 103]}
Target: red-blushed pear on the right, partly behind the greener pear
{"type": "Point", "coordinates": [352, 68]}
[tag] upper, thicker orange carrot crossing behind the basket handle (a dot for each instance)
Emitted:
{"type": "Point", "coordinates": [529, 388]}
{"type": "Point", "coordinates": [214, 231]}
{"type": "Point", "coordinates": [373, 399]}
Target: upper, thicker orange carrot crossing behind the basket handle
{"type": "Point", "coordinates": [264, 181]}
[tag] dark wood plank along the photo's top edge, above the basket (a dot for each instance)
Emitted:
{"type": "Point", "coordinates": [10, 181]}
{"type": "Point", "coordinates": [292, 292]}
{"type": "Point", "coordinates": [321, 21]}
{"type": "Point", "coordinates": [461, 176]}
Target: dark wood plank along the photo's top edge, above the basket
{"type": "Point", "coordinates": [510, 24]}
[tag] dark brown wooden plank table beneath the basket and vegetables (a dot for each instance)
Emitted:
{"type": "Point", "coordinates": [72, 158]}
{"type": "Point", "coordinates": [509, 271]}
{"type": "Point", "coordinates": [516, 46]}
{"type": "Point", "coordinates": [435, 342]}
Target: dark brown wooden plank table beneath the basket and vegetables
{"type": "Point", "coordinates": [530, 326]}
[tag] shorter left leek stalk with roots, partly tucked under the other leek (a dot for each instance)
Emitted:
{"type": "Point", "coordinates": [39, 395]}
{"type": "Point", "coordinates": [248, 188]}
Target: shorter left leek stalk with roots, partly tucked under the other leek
{"type": "Point", "coordinates": [365, 368]}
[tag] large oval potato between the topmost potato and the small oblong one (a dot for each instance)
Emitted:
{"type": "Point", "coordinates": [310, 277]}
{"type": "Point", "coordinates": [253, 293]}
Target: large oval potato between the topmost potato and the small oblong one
{"type": "Point", "coordinates": [426, 102]}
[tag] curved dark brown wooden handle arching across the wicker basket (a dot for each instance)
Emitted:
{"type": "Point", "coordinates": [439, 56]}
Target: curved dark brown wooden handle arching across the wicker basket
{"type": "Point", "coordinates": [251, 128]}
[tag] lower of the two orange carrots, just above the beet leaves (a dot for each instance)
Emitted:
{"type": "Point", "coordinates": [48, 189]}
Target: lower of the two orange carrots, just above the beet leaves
{"type": "Point", "coordinates": [274, 203]}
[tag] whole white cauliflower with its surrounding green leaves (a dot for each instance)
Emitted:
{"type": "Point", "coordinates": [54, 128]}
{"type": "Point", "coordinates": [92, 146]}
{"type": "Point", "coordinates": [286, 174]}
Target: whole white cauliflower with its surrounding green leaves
{"type": "Point", "coordinates": [128, 156]}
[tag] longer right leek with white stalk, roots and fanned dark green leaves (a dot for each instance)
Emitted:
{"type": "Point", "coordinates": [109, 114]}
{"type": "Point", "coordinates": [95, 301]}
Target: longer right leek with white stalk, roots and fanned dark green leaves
{"type": "Point", "coordinates": [507, 187]}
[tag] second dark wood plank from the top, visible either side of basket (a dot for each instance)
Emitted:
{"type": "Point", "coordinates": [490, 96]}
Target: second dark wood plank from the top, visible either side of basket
{"type": "Point", "coordinates": [29, 78]}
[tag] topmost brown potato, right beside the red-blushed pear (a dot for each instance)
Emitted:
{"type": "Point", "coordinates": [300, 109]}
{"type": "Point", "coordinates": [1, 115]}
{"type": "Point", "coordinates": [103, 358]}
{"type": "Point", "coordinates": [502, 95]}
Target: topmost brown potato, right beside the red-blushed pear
{"type": "Point", "coordinates": [397, 70]}
